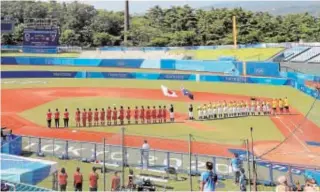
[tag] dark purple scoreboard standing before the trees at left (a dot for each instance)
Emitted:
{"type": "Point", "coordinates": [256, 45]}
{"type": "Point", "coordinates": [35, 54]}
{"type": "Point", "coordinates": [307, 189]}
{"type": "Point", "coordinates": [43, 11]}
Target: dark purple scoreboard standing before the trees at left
{"type": "Point", "coordinates": [41, 37]}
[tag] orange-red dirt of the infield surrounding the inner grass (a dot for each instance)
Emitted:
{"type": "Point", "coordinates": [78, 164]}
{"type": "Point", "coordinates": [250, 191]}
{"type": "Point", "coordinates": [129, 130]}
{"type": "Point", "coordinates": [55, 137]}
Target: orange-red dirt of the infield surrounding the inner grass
{"type": "Point", "coordinates": [15, 101]}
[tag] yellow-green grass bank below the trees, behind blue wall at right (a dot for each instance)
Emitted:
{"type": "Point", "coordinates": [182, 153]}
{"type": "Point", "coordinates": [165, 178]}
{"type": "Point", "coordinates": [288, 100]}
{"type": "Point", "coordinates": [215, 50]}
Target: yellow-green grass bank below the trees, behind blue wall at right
{"type": "Point", "coordinates": [245, 54]}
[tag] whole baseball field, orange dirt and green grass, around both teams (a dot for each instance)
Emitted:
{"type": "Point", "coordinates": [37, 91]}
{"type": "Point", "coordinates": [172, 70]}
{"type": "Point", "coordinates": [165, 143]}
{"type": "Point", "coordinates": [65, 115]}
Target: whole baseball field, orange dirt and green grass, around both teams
{"type": "Point", "coordinates": [26, 101]}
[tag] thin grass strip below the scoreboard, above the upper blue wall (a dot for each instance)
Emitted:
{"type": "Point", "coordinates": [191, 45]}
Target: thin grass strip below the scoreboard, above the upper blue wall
{"type": "Point", "coordinates": [6, 54]}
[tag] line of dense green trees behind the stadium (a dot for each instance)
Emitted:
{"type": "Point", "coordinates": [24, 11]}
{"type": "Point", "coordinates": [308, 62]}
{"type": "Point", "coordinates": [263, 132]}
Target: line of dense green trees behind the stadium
{"type": "Point", "coordinates": [83, 25]}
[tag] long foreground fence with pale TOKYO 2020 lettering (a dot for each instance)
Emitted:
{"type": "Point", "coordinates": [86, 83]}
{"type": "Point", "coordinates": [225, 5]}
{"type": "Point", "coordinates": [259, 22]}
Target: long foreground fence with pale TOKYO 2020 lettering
{"type": "Point", "coordinates": [158, 160]}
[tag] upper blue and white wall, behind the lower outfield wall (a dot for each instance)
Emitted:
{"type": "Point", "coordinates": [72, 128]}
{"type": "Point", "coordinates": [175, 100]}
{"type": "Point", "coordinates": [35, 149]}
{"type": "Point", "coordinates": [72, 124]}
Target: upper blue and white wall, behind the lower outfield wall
{"type": "Point", "coordinates": [219, 66]}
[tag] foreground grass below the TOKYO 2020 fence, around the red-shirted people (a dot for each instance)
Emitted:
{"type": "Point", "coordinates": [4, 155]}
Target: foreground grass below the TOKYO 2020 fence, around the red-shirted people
{"type": "Point", "coordinates": [71, 165]}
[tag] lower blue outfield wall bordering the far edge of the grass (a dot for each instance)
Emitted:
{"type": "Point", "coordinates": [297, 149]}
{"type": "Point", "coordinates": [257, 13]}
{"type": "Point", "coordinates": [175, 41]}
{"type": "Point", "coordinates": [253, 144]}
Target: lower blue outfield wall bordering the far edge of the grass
{"type": "Point", "coordinates": [291, 79]}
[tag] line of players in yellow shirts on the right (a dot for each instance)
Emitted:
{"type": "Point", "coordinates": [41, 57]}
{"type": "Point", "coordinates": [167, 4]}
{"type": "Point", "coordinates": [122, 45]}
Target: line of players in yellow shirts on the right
{"type": "Point", "coordinates": [223, 109]}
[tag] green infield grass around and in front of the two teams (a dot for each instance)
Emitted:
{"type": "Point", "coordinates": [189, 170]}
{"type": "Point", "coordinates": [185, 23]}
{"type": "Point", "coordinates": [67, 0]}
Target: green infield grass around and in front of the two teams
{"type": "Point", "coordinates": [225, 128]}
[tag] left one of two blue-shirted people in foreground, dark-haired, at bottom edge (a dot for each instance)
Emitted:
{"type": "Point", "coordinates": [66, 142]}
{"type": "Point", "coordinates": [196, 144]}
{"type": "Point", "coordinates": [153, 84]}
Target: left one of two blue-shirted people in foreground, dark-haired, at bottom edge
{"type": "Point", "coordinates": [208, 179]}
